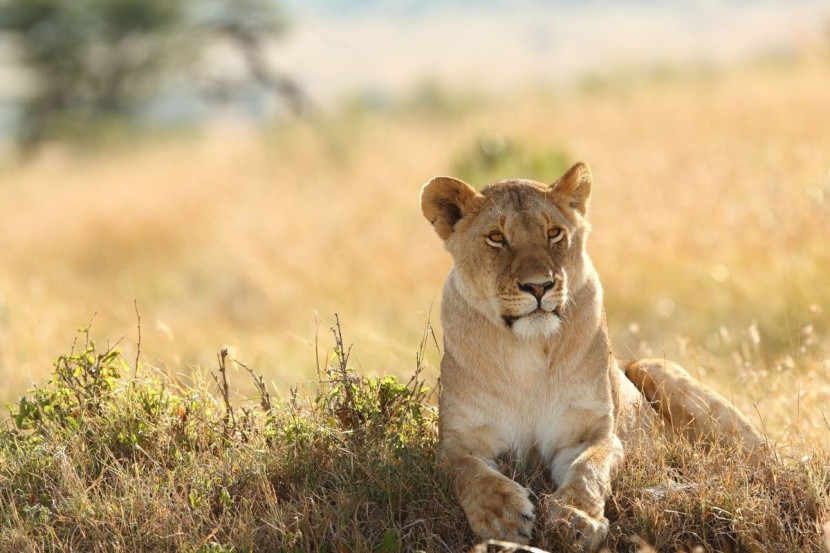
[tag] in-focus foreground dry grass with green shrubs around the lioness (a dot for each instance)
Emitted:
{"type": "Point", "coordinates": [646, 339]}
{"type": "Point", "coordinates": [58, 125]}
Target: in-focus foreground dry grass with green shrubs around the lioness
{"type": "Point", "coordinates": [98, 463]}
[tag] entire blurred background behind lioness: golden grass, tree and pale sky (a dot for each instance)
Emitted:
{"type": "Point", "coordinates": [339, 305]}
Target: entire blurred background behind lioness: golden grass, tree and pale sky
{"type": "Point", "coordinates": [238, 171]}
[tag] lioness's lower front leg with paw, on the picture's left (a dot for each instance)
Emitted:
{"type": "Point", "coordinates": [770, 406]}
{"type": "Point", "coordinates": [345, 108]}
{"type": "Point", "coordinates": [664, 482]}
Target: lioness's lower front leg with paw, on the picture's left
{"type": "Point", "coordinates": [496, 506]}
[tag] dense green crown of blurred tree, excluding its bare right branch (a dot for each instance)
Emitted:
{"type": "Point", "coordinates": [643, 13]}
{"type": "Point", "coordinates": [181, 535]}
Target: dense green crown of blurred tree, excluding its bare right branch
{"type": "Point", "coordinates": [89, 58]}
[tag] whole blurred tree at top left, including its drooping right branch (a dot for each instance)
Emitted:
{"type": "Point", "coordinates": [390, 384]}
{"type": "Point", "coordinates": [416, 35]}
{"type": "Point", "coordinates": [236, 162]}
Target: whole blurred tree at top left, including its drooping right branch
{"type": "Point", "coordinates": [96, 60]}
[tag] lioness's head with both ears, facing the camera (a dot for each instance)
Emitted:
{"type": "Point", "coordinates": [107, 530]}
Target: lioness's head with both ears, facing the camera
{"type": "Point", "coordinates": [518, 245]}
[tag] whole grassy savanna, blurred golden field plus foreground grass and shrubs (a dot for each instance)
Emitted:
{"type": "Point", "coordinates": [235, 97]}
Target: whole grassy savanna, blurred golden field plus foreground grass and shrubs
{"type": "Point", "coordinates": [711, 216]}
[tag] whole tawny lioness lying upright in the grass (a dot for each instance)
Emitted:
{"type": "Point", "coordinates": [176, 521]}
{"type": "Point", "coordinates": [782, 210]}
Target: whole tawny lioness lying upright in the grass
{"type": "Point", "coordinates": [528, 367]}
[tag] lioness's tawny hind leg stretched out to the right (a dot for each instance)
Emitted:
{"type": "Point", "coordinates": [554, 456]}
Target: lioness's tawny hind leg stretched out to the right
{"type": "Point", "coordinates": [691, 409]}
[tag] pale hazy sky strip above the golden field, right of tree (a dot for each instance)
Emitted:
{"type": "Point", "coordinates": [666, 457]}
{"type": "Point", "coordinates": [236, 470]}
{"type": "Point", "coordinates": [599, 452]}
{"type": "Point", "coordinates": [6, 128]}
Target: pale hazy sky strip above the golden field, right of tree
{"type": "Point", "coordinates": [389, 50]}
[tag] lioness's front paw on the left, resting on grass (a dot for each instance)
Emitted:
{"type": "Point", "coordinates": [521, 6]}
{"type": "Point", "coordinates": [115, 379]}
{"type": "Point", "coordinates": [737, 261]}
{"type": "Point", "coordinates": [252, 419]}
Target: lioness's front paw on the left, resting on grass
{"type": "Point", "coordinates": [499, 508]}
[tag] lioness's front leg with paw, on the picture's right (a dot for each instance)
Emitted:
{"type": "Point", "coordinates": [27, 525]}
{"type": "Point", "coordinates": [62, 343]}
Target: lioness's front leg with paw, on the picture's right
{"type": "Point", "coordinates": [576, 511]}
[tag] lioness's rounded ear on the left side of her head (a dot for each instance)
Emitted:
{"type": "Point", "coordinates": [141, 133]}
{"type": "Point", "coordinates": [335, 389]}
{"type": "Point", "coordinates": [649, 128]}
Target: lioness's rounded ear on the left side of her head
{"type": "Point", "coordinates": [445, 201]}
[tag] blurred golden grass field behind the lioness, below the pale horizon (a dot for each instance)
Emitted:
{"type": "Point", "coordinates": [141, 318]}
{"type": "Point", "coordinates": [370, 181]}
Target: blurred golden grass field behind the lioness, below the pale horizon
{"type": "Point", "coordinates": [711, 212]}
